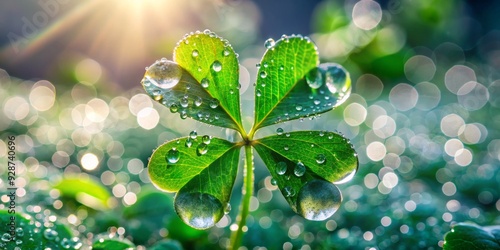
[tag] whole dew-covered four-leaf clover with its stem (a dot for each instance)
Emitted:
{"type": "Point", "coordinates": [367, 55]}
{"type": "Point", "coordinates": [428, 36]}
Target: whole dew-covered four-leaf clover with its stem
{"type": "Point", "coordinates": [202, 83]}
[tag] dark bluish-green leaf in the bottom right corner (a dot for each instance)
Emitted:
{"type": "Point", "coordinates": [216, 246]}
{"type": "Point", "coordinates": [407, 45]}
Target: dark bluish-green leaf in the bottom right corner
{"type": "Point", "coordinates": [472, 236]}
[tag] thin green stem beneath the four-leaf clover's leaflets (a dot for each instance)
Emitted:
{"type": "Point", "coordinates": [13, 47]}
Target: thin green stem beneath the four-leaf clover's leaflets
{"type": "Point", "coordinates": [248, 179]}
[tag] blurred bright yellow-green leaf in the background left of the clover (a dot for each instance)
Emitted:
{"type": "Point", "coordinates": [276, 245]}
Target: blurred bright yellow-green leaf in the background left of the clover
{"type": "Point", "coordinates": [87, 191]}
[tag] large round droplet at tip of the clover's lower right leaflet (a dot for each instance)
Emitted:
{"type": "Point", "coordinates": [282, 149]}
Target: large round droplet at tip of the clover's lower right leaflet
{"type": "Point", "coordinates": [318, 200]}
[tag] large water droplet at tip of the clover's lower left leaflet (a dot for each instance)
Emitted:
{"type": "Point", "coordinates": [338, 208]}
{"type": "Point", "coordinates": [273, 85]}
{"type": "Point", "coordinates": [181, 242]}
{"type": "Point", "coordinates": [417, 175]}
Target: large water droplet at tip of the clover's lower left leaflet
{"type": "Point", "coordinates": [198, 210]}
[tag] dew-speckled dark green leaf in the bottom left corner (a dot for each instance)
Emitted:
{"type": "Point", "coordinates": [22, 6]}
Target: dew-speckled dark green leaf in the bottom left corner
{"type": "Point", "coordinates": [21, 230]}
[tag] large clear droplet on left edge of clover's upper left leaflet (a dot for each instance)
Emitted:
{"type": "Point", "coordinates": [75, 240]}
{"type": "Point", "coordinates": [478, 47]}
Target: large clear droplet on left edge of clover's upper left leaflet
{"type": "Point", "coordinates": [163, 74]}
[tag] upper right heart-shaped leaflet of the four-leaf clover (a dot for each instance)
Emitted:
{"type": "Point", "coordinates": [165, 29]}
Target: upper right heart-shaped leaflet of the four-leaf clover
{"type": "Point", "coordinates": [291, 85]}
